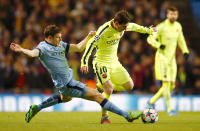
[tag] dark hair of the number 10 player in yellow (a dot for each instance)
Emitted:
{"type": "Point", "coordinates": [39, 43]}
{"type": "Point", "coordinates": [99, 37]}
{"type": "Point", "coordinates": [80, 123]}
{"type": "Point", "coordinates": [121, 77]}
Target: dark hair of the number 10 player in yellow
{"type": "Point", "coordinates": [122, 17]}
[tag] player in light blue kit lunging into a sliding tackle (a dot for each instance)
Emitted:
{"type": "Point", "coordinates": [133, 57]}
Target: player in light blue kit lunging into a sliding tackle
{"type": "Point", "coordinates": [51, 53]}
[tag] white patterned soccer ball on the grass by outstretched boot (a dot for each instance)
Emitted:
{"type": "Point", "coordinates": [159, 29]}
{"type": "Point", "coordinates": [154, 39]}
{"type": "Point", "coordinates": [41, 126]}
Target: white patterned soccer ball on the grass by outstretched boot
{"type": "Point", "coordinates": [149, 116]}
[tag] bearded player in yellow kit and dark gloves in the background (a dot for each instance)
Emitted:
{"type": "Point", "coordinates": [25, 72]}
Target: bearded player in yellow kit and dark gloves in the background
{"type": "Point", "coordinates": [169, 33]}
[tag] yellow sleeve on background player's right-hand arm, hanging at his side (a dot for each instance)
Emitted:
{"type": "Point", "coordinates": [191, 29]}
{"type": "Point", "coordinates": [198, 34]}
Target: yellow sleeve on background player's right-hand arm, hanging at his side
{"type": "Point", "coordinates": [181, 42]}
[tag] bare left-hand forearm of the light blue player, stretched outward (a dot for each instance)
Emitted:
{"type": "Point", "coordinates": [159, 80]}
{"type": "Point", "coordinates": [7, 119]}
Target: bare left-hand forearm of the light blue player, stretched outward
{"type": "Point", "coordinates": [31, 53]}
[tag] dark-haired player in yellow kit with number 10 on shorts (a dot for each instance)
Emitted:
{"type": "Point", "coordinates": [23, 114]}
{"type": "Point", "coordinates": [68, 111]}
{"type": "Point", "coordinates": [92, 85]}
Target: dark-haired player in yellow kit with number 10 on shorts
{"type": "Point", "coordinates": [110, 73]}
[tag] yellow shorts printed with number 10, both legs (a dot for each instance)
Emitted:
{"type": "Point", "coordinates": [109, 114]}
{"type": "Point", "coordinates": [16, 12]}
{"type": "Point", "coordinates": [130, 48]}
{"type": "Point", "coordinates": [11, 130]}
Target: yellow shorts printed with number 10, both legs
{"type": "Point", "coordinates": [115, 72]}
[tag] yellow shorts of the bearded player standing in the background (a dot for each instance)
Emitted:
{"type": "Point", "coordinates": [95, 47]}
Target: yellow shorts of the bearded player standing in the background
{"type": "Point", "coordinates": [165, 71]}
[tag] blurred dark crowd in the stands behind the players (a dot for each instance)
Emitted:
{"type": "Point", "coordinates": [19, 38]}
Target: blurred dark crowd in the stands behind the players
{"type": "Point", "coordinates": [23, 21]}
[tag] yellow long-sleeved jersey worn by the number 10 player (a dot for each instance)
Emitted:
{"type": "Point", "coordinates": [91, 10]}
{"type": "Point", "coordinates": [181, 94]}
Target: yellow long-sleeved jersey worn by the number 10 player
{"type": "Point", "coordinates": [106, 41]}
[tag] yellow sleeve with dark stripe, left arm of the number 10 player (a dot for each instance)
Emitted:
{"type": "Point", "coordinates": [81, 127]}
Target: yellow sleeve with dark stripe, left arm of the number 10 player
{"type": "Point", "coordinates": [91, 44]}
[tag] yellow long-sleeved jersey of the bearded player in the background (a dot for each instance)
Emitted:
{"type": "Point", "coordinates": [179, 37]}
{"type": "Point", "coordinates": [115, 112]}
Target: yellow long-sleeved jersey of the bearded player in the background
{"type": "Point", "coordinates": [168, 34]}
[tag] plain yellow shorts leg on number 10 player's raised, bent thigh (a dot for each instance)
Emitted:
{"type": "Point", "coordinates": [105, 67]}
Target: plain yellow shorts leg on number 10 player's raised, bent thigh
{"type": "Point", "coordinates": [119, 75]}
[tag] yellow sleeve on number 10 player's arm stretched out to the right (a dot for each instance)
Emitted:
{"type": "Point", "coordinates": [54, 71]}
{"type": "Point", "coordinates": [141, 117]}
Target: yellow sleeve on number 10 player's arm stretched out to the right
{"type": "Point", "coordinates": [138, 28]}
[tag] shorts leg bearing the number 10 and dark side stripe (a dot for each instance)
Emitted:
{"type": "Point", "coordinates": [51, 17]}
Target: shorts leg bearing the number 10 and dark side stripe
{"type": "Point", "coordinates": [102, 72]}
